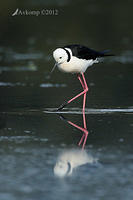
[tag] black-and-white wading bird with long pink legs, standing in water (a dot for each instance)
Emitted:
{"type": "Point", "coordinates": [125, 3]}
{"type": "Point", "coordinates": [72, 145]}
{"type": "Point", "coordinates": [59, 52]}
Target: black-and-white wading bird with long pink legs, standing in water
{"type": "Point", "coordinates": [75, 59]}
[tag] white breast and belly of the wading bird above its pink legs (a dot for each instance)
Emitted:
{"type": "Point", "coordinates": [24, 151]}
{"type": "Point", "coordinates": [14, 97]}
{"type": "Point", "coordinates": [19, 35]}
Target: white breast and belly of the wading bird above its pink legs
{"type": "Point", "coordinates": [76, 65]}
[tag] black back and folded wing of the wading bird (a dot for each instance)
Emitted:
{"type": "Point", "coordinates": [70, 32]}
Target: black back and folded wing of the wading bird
{"type": "Point", "coordinates": [83, 52]}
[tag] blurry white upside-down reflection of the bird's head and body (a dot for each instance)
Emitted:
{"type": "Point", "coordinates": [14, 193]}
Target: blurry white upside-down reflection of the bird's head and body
{"type": "Point", "coordinates": [71, 159]}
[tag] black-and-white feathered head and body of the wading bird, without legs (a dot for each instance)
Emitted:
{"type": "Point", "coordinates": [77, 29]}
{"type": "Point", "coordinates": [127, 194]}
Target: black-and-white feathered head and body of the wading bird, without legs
{"type": "Point", "coordinates": [76, 58]}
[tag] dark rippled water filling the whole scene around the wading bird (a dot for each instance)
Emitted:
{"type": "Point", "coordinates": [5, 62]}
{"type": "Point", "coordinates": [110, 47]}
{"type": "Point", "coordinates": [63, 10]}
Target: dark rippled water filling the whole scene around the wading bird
{"type": "Point", "coordinates": [33, 138]}
